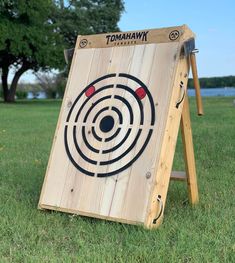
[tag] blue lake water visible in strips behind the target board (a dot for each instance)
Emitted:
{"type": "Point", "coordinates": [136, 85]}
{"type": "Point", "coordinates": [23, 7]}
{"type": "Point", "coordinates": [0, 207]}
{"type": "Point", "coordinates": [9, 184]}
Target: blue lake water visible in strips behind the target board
{"type": "Point", "coordinates": [216, 92]}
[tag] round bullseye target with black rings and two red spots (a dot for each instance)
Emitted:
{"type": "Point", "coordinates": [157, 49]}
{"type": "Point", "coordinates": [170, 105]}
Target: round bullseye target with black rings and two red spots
{"type": "Point", "coordinates": [109, 125]}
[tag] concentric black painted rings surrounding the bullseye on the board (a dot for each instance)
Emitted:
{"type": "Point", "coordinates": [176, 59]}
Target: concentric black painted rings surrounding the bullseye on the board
{"type": "Point", "coordinates": [108, 139]}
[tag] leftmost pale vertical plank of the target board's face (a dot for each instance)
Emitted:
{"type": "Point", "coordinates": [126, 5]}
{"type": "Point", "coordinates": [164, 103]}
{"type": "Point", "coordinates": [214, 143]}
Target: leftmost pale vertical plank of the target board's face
{"type": "Point", "coordinates": [53, 184]}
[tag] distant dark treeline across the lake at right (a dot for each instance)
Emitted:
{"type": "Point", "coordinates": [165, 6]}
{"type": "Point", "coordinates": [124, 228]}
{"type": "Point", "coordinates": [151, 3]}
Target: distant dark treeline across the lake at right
{"type": "Point", "coordinates": [214, 82]}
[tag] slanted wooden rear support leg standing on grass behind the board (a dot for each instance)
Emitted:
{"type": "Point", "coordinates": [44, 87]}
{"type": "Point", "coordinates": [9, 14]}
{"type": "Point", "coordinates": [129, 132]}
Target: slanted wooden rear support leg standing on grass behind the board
{"type": "Point", "coordinates": [187, 140]}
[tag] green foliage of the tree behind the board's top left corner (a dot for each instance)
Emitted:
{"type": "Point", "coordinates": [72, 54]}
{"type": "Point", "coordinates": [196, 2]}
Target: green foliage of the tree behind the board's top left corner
{"type": "Point", "coordinates": [87, 17]}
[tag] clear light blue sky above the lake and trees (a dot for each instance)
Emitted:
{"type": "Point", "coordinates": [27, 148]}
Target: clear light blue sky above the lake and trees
{"type": "Point", "coordinates": [213, 22]}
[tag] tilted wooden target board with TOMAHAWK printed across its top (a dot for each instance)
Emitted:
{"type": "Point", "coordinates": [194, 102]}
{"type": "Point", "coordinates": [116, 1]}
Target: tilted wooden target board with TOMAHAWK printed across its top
{"type": "Point", "coordinates": [115, 140]}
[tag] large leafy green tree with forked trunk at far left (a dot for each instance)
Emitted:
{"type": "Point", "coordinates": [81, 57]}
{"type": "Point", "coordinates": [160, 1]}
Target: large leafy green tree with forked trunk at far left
{"type": "Point", "coordinates": [29, 40]}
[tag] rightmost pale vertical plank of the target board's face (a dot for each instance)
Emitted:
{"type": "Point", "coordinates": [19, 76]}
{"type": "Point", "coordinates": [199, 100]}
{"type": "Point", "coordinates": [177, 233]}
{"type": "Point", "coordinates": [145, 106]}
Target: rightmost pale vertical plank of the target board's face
{"type": "Point", "coordinates": [138, 189]}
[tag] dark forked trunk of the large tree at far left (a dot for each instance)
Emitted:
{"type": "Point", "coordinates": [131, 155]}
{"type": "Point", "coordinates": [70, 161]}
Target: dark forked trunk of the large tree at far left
{"type": "Point", "coordinates": [9, 94]}
